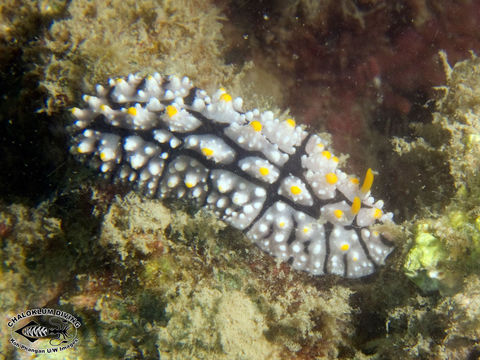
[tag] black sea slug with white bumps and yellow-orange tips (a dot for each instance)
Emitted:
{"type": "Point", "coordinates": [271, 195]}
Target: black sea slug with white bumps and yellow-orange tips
{"type": "Point", "coordinates": [266, 176]}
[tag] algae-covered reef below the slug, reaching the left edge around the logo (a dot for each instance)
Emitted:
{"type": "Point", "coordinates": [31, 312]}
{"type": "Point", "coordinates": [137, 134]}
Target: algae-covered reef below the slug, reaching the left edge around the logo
{"type": "Point", "coordinates": [168, 283]}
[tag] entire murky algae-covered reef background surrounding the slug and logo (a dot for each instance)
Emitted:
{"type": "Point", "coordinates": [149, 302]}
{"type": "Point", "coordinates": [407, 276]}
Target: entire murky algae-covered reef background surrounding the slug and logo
{"type": "Point", "coordinates": [396, 84]}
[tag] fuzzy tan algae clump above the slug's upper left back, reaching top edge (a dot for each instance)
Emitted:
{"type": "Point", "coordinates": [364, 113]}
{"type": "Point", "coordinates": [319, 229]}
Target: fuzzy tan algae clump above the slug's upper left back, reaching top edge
{"type": "Point", "coordinates": [176, 37]}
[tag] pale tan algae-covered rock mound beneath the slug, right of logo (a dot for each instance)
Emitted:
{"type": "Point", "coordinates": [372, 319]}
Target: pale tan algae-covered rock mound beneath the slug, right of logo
{"type": "Point", "coordinates": [220, 291]}
